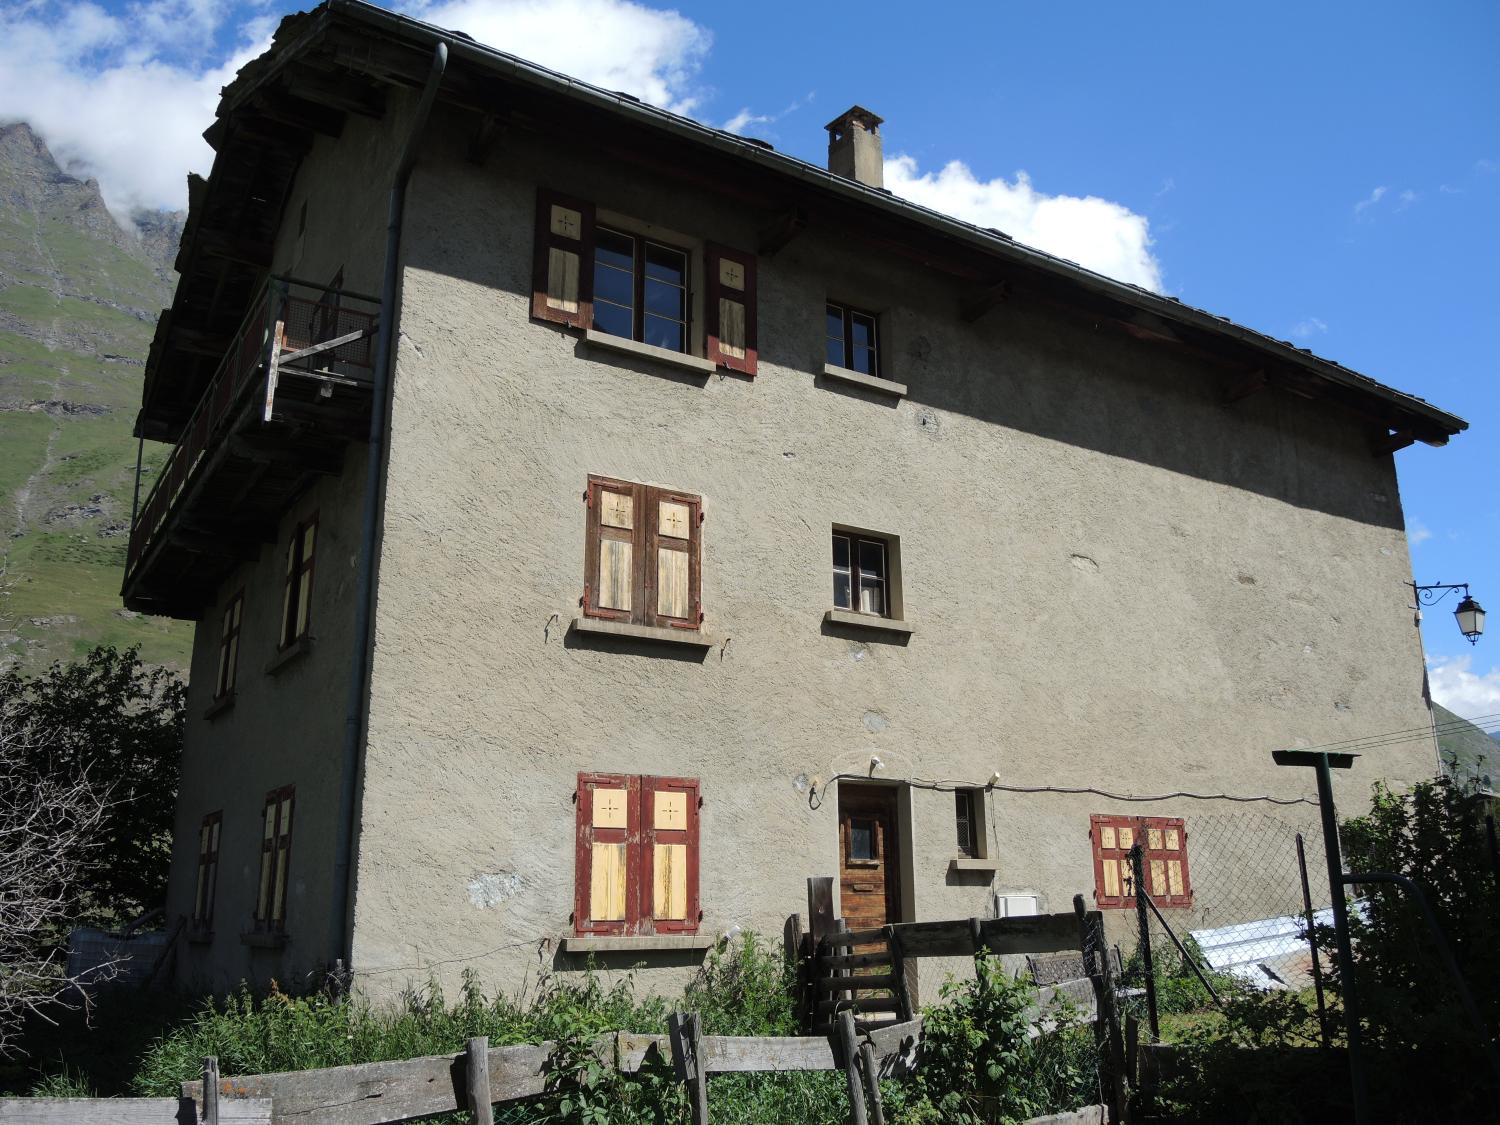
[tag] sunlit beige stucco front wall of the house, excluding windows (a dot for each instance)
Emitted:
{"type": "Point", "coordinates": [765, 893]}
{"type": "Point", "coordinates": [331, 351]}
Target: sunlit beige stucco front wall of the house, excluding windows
{"type": "Point", "coordinates": [1115, 581]}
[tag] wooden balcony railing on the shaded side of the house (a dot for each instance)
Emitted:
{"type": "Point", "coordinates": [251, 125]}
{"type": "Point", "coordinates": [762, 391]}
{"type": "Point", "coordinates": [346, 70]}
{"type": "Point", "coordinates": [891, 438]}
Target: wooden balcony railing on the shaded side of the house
{"type": "Point", "coordinates": [296, 335]}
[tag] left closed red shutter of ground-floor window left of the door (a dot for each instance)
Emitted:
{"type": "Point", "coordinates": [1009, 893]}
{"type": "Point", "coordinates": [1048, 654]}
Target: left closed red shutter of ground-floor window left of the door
{"type": "Point", "coordinates": [608, 838]}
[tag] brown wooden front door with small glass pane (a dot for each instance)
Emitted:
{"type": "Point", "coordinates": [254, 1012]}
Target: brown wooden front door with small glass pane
{"type": "Point", "coordinates": [869, 859]}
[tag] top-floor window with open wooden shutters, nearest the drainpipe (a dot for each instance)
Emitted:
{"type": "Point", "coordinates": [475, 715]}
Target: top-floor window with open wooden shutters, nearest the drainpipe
{"type": "Point", "coordinates": [640, 287]}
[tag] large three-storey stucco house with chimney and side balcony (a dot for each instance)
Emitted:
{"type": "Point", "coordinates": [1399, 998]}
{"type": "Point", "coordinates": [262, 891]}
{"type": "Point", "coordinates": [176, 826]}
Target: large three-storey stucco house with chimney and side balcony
{"type": "Point", "coordinates": [727, 521]}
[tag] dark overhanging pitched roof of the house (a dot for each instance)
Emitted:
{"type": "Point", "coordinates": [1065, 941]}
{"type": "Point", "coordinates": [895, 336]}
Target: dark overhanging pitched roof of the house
{"type": "Point", "coordinates": [1259, 359]}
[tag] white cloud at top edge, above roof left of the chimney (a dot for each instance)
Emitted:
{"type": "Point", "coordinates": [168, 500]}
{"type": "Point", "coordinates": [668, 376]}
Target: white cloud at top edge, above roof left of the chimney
{"type": "Point", "coordinates": [644, 52]}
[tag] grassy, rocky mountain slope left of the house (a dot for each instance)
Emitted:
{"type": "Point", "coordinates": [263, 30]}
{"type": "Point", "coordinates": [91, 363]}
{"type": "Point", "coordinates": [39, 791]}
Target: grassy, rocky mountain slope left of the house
{"type": "Point", "coordinates": [79, 302]}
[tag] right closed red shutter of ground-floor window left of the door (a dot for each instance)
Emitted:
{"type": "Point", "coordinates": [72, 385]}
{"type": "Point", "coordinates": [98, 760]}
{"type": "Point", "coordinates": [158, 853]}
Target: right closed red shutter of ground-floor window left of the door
{"type": "Point", "coordinates": [670, 854]}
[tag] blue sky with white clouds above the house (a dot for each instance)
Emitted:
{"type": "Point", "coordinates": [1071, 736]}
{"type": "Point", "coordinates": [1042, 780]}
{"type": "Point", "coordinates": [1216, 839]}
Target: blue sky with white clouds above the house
{"type": "Point", "coordinates": [1325, 173]}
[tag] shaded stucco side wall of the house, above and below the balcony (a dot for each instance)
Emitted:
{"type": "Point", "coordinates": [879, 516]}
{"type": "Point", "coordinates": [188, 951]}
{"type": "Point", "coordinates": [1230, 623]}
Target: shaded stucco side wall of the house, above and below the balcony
{"type": "Point", "coordinates": [286, 730]}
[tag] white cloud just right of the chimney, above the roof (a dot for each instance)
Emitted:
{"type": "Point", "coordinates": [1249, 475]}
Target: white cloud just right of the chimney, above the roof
{"type": "Point", "coordinates": [1096, 233]}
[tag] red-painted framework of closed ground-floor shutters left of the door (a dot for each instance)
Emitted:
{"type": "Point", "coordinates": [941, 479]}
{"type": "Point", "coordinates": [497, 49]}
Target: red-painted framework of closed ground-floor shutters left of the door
{"type": "Point", "coordinates": [641, 838]}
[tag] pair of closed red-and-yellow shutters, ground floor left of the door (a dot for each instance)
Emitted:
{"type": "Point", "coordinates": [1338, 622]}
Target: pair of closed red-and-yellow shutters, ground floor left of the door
{"type": "Point", "coordinates": [637, 859]}
